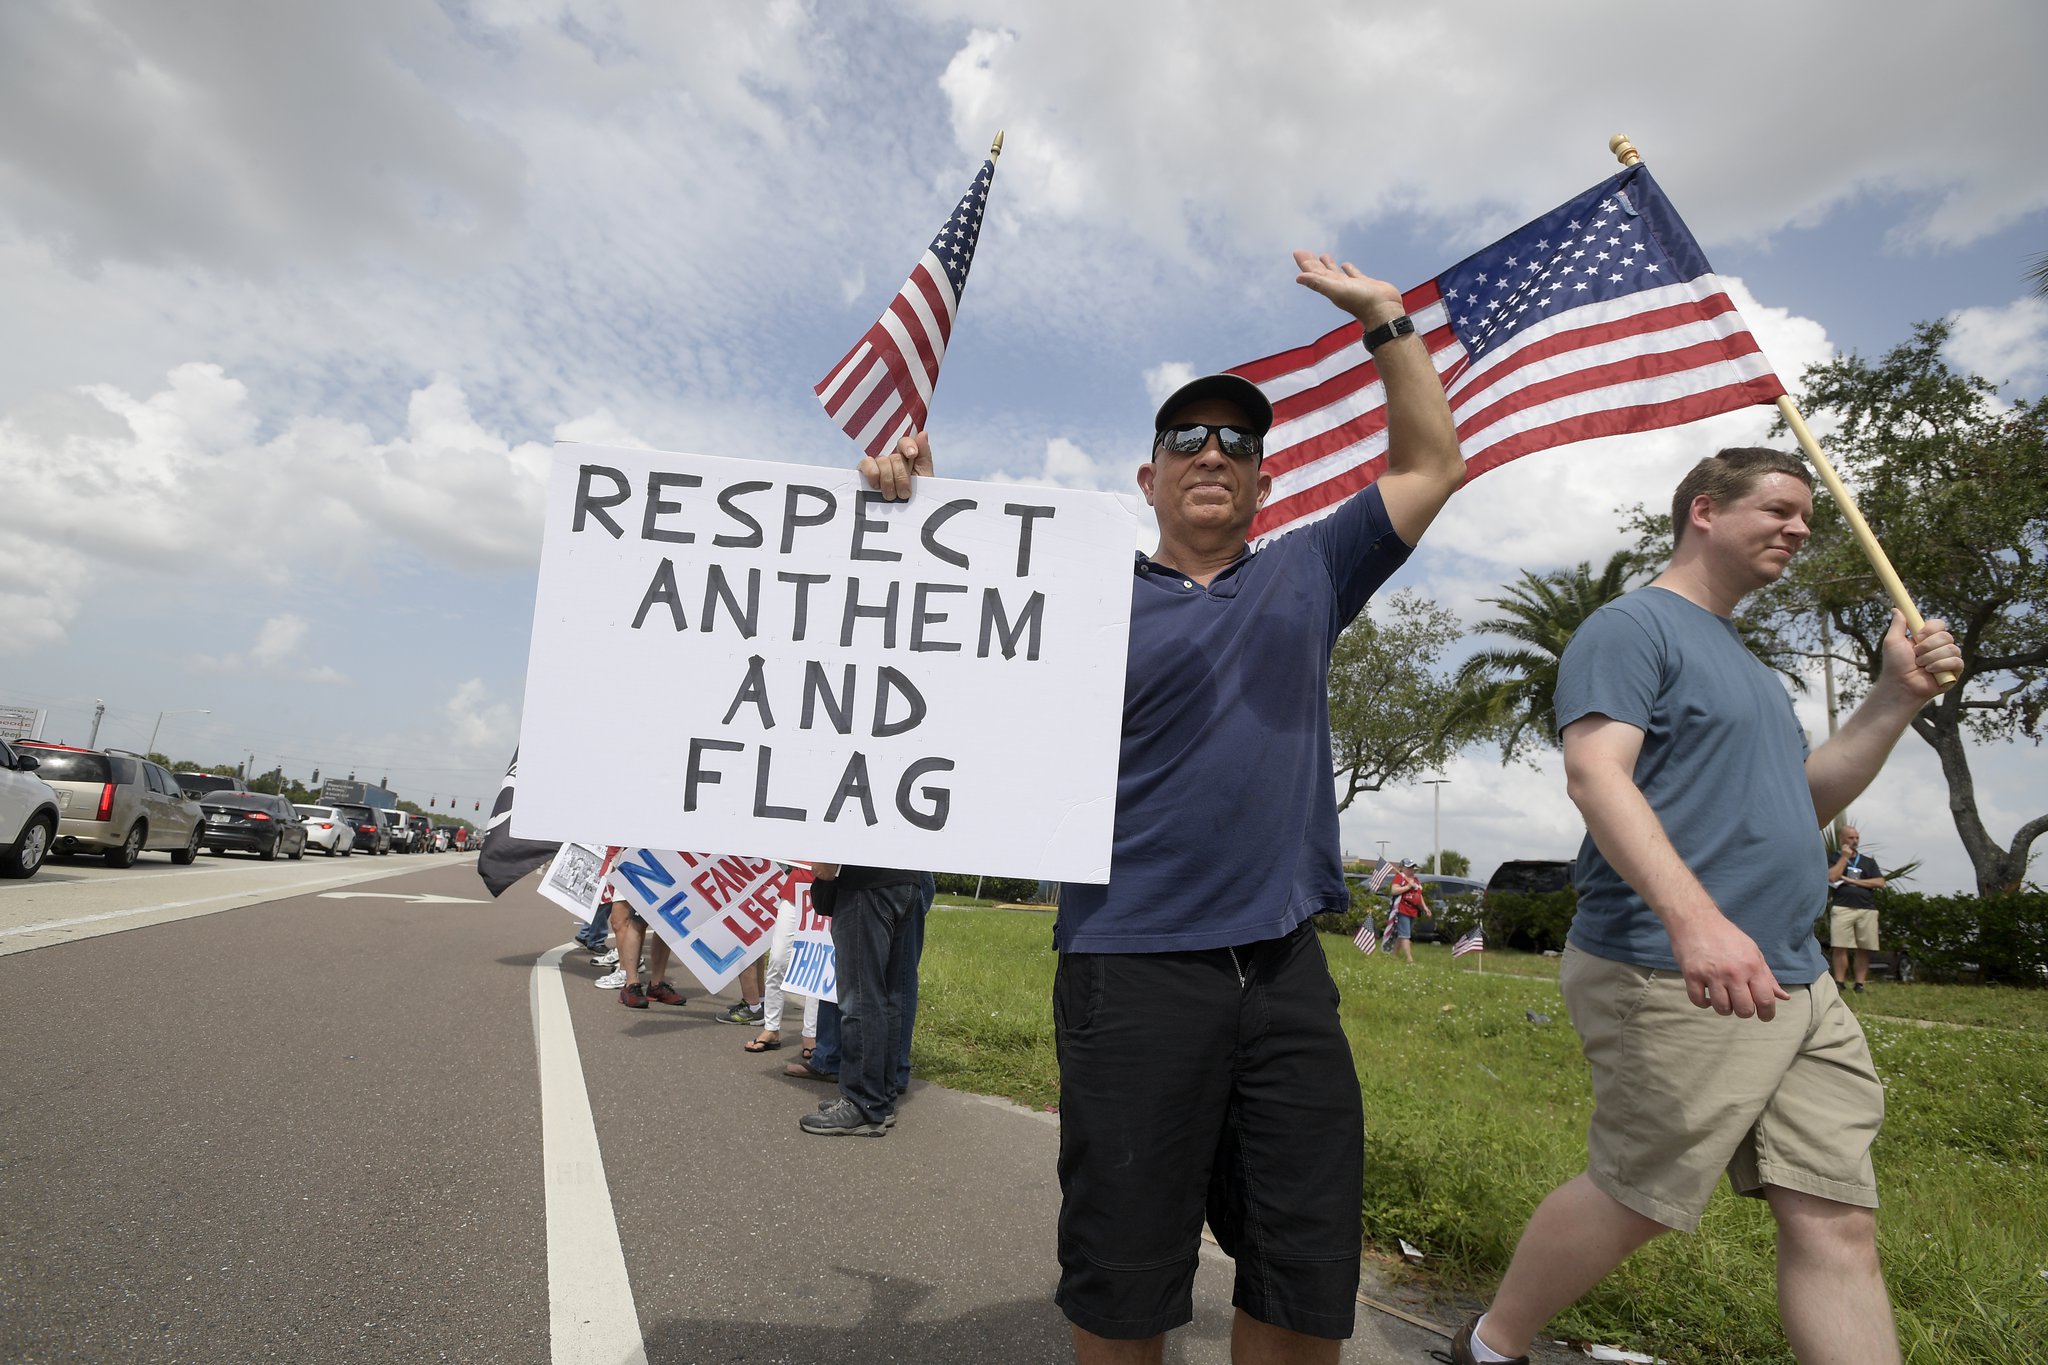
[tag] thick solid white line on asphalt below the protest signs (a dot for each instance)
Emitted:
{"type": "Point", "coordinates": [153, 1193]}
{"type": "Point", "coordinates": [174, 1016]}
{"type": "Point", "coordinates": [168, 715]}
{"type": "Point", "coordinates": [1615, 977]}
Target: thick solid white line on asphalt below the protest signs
{"type": "Point", "coordinates": [593, 1319]}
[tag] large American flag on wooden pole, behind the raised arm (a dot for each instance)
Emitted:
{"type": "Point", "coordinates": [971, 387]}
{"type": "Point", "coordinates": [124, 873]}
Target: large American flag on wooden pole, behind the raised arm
{"type": "Point", "coordinates": [1598, 318]}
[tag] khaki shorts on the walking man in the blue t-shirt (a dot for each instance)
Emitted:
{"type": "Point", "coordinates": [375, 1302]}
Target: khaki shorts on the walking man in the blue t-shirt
{"type": "Point", "coordinates": [1682, 1094]}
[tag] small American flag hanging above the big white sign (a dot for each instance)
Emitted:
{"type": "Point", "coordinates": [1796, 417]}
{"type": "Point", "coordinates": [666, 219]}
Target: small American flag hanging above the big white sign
{"type": "Point", "coordinates": [884, 386]}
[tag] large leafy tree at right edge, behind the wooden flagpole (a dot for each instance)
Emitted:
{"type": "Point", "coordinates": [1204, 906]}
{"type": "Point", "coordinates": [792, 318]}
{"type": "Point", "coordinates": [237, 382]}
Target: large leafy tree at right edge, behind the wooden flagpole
{"type": "Point", "coordinates": [1957, 484]}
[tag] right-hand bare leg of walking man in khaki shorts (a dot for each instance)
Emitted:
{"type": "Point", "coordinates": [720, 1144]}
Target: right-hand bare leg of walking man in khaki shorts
{"type": "Point", "coordinates": [1830, 1284]}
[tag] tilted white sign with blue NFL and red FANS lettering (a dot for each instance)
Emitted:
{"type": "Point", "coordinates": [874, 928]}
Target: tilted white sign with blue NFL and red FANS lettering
{"type": "Point", "coordinates": [716, 912]}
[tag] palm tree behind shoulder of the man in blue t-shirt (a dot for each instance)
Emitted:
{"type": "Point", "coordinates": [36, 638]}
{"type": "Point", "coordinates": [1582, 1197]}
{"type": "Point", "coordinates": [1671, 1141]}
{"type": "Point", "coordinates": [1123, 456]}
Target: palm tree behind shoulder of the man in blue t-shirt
{"type": "Point", "coordinates": [1512, 691]}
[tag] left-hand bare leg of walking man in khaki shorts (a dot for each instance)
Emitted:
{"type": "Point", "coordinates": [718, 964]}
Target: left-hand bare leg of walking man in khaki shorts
{"type": "Point", "coordinates": [1576, 1237]}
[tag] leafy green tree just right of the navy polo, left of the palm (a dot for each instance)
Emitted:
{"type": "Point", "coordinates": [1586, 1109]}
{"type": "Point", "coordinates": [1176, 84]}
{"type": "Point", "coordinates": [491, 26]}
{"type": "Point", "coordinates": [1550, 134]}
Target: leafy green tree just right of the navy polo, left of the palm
{"type": "Point", "coordinates": [1390, 701]}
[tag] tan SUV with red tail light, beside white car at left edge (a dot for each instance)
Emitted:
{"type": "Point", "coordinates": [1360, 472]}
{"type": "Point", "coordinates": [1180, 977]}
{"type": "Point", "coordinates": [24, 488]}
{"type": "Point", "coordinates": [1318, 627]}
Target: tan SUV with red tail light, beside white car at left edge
{"type": "Point", "coordinates": [118, 805]}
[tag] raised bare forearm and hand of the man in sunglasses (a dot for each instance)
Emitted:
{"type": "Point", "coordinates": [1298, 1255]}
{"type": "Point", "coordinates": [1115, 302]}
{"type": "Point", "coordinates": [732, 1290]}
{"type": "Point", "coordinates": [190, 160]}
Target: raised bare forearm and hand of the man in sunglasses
{"type": "Point", "coordinates": [1424, 466]}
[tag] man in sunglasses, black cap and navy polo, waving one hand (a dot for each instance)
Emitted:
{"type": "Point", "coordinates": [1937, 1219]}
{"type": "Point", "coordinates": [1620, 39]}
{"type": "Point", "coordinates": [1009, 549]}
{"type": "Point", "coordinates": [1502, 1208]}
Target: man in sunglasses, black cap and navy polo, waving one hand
{"type": "Point", "coordinates": [1203, 1065]}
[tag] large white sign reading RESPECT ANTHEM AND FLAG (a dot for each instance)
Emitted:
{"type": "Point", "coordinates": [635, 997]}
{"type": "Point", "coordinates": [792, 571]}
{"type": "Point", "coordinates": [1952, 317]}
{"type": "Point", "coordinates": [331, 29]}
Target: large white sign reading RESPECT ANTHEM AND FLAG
{"type": "Point", "coordinates": [771, 658]}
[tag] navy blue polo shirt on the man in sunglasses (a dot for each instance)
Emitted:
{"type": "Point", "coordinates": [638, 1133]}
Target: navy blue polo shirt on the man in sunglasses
{"type": "Point", "coordinates": [1226, 799]}
